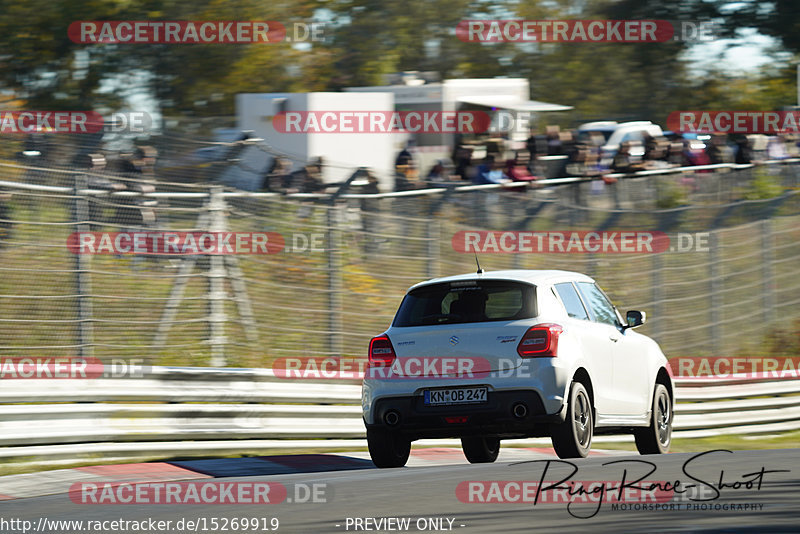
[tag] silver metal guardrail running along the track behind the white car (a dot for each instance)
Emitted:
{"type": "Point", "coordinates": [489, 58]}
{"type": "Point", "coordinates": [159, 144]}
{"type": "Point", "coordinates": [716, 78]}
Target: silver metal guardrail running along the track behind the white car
{"type": "Point", "coordinates": [179, 411]}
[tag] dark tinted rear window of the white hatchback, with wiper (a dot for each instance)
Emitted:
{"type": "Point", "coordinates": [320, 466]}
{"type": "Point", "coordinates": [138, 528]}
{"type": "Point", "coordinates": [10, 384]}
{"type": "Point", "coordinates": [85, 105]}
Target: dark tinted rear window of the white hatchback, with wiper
{"type": "Point", "coordinates": [467, 301]}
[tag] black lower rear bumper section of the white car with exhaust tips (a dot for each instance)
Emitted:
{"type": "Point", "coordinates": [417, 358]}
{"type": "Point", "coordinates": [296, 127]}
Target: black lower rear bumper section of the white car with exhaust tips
{"type": "Point", "coordinates": [495, 418]}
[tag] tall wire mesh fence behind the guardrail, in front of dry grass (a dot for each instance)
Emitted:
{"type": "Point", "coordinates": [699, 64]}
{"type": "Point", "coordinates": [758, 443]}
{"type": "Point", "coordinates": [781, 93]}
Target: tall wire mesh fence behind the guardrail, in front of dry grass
{"type": "Point", "coordinates": [348, 258]}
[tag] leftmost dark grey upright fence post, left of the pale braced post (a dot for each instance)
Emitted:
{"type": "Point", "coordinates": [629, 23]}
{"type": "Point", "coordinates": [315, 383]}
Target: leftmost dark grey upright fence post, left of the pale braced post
{"type": "Point", "coordinates": [82, 263]}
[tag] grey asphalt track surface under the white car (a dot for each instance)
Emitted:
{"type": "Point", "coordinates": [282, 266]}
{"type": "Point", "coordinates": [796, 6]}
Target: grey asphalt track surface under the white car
{"type": "Point", "coordinates": [430, 492]}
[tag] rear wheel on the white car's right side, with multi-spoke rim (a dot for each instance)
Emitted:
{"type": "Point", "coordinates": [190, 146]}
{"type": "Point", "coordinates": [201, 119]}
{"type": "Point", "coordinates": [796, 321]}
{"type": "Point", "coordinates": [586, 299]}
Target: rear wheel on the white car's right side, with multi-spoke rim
{"type": "Point", "coordinates": [573, 437]}
